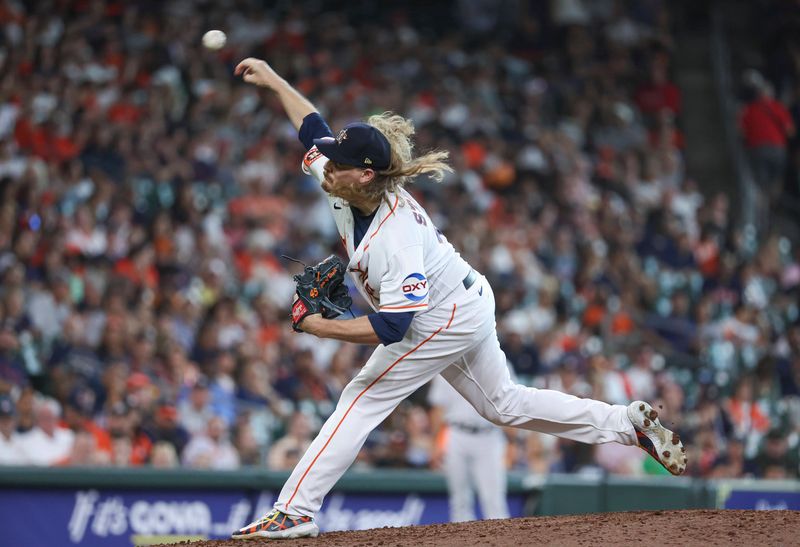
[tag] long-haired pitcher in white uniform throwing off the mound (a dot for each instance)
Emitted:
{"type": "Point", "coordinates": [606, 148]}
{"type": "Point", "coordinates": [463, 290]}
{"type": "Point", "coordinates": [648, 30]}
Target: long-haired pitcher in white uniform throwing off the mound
{"type": "Point", "coordinates": [433, 314]}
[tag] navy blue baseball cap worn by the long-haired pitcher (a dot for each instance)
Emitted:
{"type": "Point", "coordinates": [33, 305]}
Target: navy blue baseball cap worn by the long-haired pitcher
{"type": "Point", "coordinates": [358, 145]}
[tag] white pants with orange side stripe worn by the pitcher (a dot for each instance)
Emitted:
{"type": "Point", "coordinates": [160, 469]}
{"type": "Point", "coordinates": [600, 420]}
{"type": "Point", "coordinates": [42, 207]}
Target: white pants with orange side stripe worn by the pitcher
{"type": "Point", "coordinates": [458, 340]}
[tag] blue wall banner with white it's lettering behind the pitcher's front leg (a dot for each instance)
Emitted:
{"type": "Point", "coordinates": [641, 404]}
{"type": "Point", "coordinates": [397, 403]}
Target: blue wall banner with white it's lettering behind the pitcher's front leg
{"type": "Point", "coordinates": [126, 518]}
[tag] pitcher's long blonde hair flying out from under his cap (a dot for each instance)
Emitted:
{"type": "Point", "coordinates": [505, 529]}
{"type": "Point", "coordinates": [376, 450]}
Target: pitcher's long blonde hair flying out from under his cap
{"type": "Point", "coordinates": [403, 166]}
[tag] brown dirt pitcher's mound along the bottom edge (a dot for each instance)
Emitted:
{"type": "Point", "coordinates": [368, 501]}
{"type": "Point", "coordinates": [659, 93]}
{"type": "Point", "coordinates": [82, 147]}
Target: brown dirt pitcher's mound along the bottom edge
{"type": "Point", "coordinates": [701, 527]}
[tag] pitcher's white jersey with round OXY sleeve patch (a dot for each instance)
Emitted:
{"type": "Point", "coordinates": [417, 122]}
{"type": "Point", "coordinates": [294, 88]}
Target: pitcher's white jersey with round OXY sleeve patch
{"type": "Point", "coordinates": [403, 263]}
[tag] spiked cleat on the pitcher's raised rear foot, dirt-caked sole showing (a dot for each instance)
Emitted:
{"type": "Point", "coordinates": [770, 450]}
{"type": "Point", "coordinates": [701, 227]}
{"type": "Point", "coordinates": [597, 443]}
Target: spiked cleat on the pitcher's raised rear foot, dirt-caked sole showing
{"type": "Point", "coordinates": [655, 439]}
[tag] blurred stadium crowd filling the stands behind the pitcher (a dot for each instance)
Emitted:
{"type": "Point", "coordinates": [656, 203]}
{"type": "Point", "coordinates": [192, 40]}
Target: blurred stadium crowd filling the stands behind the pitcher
{"type": "Point", "coordinates": [146, 196]}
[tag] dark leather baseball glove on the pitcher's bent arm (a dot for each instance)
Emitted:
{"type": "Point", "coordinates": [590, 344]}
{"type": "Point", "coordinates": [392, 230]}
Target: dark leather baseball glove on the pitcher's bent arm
{"type": "Point", "coordinates": [321, 289]}
